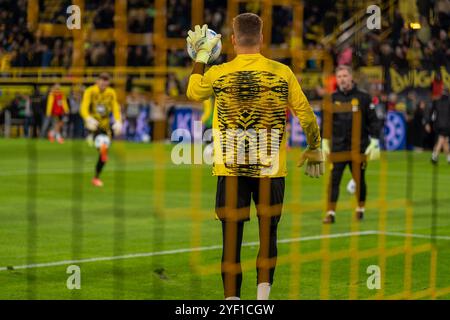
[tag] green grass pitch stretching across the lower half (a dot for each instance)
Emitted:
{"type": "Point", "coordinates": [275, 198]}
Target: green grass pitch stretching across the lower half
{"type": "Point", "coordinates": [49, 213]}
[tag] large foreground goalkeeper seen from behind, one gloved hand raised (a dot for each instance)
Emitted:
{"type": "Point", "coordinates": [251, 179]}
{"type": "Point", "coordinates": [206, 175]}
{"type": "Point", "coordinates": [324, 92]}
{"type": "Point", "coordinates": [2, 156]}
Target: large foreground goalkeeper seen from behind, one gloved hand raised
{"type": "Point", "coordinates": [252, 94]}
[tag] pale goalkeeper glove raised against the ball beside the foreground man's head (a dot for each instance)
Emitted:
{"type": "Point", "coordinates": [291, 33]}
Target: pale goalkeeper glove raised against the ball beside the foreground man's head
{"type": "Point", "coordinates": [201, 43]}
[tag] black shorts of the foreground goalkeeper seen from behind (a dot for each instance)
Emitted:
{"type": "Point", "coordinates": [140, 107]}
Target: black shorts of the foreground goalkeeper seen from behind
{"type": "Point", "coordinates": [234, 195]}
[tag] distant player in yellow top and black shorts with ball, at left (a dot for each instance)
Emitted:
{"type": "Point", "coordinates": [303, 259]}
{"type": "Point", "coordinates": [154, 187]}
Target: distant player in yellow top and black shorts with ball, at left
{"type": "Point", "coordinates": [99, 101]}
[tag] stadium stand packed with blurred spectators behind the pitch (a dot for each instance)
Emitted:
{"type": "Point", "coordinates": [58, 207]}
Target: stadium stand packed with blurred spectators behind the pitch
{"type": "Point", "coordinates": [328, 37]}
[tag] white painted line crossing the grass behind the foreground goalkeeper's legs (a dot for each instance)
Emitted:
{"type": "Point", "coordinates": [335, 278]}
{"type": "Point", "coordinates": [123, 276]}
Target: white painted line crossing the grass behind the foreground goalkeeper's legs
{"type": "Point", "coordinates": [215, 247]}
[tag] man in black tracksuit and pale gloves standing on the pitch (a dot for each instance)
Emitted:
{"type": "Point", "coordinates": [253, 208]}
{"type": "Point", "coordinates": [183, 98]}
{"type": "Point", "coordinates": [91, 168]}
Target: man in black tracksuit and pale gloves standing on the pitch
{"type": "Point", "coordinates": [350, 139]}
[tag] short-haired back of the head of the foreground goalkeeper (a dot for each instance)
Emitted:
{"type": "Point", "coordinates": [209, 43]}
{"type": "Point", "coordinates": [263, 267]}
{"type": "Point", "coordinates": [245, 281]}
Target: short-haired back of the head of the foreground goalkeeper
{"type": "Point", "coordinates": [247, 29]}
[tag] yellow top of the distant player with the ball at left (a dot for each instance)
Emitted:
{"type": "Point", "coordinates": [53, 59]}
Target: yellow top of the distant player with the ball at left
{"type": "Point", "coordinates": [100, 105]}
